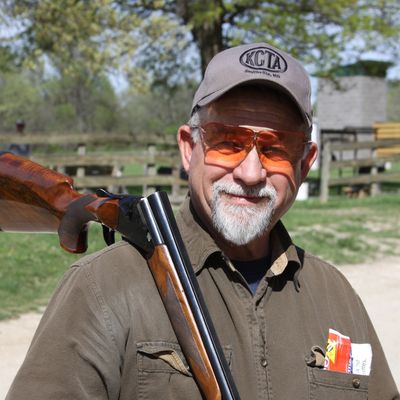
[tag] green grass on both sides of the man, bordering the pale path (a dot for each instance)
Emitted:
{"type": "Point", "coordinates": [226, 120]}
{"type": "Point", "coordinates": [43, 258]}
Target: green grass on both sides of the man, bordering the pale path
{"type": "Point", "coordinates": [341, 231]}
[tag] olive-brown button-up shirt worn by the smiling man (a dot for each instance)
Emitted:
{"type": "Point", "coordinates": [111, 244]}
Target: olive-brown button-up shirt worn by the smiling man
{"type": "Point", "coordinates": [105, 333]}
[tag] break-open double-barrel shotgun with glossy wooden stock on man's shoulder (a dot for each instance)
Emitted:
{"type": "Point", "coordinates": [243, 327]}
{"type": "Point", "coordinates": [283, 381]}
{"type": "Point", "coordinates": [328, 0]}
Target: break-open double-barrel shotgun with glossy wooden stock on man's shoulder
{"type": "Point", "coordinates": [36, 199]}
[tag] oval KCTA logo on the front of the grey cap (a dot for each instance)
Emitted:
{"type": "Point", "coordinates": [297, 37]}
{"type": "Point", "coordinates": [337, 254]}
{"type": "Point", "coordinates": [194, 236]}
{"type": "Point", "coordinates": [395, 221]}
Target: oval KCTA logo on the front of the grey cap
{"type": "Point", "coordinates": [263, 58]}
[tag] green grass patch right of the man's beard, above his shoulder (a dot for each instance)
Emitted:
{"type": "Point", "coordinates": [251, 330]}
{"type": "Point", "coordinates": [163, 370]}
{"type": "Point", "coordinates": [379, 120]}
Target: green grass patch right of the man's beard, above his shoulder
{"type": "Point", "coordinates": [347, 231]}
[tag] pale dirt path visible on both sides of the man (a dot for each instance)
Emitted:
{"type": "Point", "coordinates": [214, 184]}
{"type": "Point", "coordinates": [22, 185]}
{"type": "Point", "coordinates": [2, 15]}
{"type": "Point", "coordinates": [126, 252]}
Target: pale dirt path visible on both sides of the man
{"type": "Point", "coordinates": [377, 283]}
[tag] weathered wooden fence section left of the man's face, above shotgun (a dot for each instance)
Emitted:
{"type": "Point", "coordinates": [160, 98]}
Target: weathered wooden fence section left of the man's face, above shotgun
{"type": "Point", "coordinates": [101, 160]}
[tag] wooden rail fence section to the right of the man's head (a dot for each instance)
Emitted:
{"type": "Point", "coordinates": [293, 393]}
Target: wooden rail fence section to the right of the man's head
{"type": "Point", "coordinates": [368, 171]}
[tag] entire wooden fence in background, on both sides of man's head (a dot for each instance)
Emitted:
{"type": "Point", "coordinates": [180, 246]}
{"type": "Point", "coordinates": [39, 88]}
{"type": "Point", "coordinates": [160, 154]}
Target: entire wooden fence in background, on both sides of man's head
{"type": "Point", "coordinates": [103, 160]}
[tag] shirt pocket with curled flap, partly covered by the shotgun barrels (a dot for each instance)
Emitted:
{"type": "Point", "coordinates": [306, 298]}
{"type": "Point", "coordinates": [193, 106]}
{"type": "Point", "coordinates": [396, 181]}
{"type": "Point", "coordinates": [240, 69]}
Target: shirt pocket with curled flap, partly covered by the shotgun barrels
{"type": "Point", "coordinates": [164, 373]}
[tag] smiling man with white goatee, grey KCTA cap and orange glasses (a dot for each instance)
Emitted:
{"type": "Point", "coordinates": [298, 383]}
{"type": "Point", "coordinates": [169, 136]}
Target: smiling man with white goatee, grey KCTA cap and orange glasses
{"type": "Point", "coordinates": [246, 149]}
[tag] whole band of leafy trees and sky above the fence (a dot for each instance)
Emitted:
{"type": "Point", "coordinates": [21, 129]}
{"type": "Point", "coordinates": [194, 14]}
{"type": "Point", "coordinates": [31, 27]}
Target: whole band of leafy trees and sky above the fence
{"type": "Point", "coordinates": [160, 46]}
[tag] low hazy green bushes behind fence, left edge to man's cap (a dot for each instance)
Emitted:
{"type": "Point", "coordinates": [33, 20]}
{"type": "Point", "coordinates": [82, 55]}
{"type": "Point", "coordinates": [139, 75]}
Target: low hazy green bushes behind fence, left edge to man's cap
{"type": "Point", "coordinates": [45, 105]}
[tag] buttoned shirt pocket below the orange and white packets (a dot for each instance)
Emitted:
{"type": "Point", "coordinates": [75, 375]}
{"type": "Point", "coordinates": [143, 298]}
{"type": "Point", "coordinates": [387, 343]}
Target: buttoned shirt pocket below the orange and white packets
{"type": "Point", "coordinates": [331, 385]}
